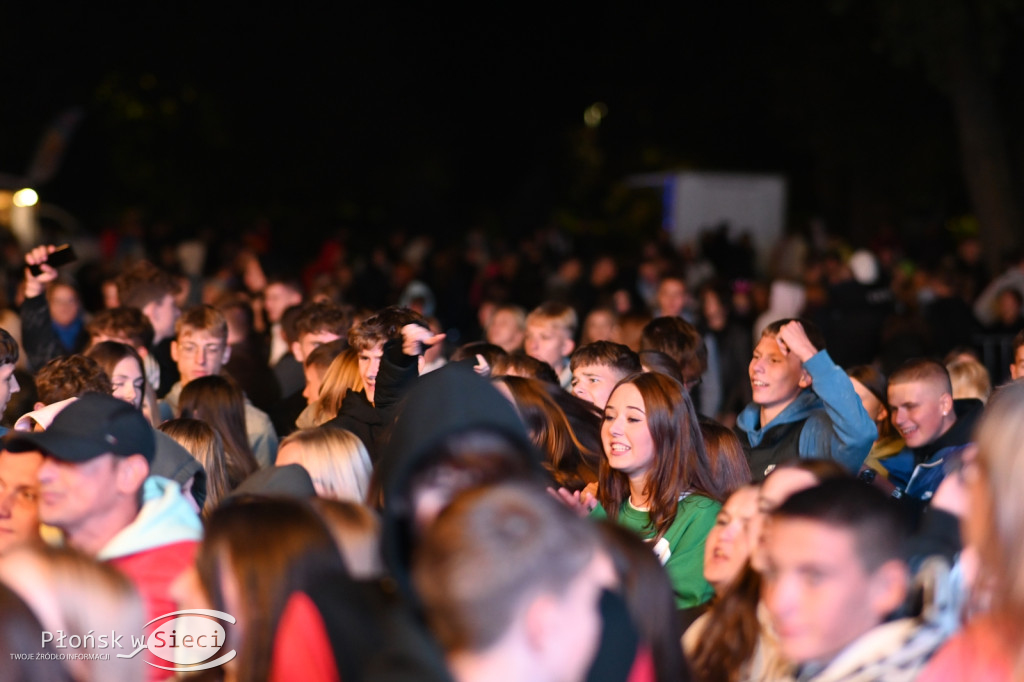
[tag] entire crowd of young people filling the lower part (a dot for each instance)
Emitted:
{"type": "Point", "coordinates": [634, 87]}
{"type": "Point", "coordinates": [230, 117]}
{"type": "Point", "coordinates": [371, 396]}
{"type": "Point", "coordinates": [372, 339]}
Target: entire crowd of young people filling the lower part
{"type": "Point", "coordinates": [606, 470]}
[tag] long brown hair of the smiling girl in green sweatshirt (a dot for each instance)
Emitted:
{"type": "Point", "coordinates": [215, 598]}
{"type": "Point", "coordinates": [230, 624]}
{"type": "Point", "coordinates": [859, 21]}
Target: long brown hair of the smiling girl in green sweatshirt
{"type": "Point", "coordinates": [681, 463]}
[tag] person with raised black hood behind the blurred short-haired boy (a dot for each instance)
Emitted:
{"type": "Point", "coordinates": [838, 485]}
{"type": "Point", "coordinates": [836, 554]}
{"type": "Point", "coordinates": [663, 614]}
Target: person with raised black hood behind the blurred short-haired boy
{"type": "Point", "coordinates": [454, 432]}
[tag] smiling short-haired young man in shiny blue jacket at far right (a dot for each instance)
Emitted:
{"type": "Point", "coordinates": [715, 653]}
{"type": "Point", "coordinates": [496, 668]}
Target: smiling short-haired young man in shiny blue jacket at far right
{"type": "Point", "coordinates": [936, 428]}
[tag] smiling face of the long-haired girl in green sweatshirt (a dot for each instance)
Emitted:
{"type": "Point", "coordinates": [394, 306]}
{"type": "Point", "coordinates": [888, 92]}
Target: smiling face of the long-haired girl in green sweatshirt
{"type": "Point", "coordinates": [627, 440]}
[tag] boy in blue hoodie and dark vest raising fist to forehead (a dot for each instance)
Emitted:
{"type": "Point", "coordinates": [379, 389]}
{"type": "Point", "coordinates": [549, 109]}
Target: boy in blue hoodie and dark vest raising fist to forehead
{"type": "Point", "coordinates": [804, 406]}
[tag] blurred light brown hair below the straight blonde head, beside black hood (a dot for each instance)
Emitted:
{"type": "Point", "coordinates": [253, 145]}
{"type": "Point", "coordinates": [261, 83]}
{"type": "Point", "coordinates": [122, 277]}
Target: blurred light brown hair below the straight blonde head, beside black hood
{"type": "Point", "coordinates": [357, 532]}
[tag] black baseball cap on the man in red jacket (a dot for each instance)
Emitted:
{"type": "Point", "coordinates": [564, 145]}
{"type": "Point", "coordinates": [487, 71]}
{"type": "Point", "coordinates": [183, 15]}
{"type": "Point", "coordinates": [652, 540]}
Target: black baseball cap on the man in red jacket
{"type": "Point", "coordinates": [94, 425]}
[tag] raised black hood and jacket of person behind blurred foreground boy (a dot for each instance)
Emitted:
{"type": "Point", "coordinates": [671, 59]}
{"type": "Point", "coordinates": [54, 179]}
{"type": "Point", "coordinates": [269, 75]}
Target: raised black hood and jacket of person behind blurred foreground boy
{"type": "Point", "coordinates": [450, 402]}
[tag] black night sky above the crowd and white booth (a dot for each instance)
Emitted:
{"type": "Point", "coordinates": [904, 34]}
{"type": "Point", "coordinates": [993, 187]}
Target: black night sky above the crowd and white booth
{"type": "Point", "coordinates": [438, 118]}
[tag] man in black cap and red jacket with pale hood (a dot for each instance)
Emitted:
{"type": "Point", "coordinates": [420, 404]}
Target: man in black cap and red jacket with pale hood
{"type": "Point", "coordinates": [95, 486]}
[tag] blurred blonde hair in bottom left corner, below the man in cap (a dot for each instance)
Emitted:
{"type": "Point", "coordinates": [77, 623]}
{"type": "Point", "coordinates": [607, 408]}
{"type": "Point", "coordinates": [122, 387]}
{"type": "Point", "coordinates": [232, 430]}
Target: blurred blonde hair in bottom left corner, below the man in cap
{"type": "Point", "coordinates": [70, 591]}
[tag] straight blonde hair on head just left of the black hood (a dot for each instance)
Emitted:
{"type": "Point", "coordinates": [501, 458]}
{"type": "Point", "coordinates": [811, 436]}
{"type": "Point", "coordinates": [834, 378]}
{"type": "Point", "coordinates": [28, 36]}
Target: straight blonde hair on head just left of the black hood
{"type": "Point", "coordinates": [336, 460]}
